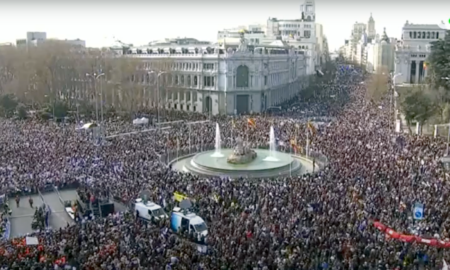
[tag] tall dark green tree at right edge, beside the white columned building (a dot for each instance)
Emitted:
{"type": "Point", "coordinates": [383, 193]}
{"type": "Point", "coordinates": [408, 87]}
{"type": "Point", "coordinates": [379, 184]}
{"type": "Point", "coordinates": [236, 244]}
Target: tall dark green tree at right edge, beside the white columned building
{"type": "Point", "coordinates": [438, 63]}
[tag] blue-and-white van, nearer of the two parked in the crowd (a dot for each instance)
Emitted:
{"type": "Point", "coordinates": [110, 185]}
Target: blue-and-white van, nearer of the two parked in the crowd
{"type": "Point", "coordinates": [182, 221]}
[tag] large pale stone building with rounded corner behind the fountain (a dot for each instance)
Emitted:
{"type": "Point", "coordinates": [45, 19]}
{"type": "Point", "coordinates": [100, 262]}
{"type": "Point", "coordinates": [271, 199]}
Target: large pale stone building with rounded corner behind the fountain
{"type": "Point", "coordinates": [222, 79]}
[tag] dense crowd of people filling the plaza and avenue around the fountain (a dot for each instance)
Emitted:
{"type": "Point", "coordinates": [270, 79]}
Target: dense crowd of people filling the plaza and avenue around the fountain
{"type": "Point", "coordinates": [321, 220]}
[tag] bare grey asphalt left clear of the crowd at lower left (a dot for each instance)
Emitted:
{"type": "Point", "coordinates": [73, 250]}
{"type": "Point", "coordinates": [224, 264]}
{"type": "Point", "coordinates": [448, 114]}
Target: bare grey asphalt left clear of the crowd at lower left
{"type": "Point", "coordinates": [22, 216]}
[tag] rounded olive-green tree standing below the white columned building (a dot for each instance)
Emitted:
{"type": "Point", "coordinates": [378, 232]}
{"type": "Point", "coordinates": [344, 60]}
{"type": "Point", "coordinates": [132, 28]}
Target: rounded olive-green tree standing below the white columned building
{"type": "Point", "coordinates": [417, 105]}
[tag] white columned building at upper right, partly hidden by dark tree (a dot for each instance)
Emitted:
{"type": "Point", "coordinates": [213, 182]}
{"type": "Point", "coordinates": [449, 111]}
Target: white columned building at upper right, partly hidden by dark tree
{"type": "Point", "coordinates": [412, 51]}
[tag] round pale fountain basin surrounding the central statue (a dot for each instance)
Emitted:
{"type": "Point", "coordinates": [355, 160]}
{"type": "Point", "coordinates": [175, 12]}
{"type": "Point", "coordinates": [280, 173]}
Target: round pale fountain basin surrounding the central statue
{"type": "Point", "coordinates": [266, 164]}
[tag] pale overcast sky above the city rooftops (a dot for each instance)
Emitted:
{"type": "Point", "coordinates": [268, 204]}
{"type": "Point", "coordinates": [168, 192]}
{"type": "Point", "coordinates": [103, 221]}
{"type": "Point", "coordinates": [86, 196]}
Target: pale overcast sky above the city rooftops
{"type": "Point", "coordinates": [141, 21]}
